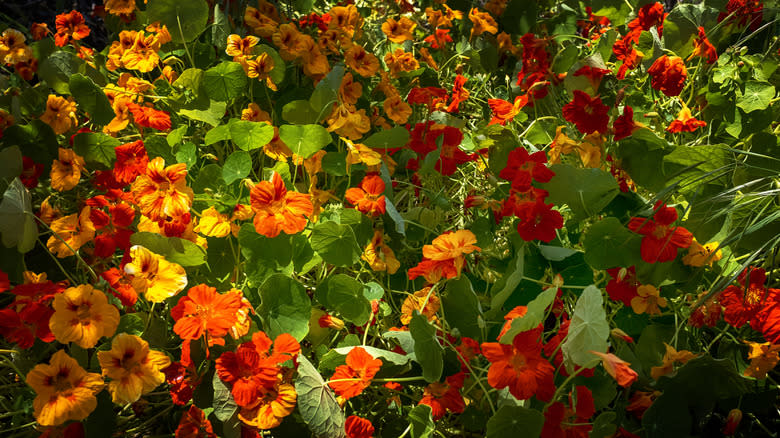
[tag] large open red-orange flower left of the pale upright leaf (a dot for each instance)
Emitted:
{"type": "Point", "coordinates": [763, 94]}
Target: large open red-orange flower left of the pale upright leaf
{"type": "Point", "coordinates": [520, 367]}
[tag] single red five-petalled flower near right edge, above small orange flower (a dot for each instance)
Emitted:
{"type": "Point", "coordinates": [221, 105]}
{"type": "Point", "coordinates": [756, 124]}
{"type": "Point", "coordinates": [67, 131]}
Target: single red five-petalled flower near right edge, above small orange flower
{"type": "Point", "coordinates": [662, 239]}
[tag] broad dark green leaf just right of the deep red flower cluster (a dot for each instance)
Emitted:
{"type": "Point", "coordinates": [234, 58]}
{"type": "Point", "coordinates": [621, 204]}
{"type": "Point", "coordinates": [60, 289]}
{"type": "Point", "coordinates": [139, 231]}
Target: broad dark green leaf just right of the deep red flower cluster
{"type": "Point", "coordinates": [585, 191]}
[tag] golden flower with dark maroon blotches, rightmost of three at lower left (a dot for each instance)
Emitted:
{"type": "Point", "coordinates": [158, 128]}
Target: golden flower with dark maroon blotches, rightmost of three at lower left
{"type": "Point", "coordinates": [133, 368]}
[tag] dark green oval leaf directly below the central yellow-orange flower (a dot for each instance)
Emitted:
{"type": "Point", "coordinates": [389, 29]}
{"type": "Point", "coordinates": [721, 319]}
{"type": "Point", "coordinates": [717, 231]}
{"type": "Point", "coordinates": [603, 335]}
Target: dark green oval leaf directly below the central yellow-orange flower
{"type": "Point", "coordinates": [462, 308]}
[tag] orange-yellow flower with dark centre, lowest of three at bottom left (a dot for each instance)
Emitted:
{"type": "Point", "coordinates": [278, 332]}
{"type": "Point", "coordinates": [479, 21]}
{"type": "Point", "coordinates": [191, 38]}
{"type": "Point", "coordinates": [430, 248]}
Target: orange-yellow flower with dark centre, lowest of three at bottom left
{"type": "Point", "coordinates": [64, 390]}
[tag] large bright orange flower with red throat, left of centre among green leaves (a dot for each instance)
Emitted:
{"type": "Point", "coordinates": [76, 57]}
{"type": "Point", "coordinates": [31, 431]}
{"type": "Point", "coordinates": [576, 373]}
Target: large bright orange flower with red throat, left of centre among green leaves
{"type": "Point", "coordinates": [278, 210]}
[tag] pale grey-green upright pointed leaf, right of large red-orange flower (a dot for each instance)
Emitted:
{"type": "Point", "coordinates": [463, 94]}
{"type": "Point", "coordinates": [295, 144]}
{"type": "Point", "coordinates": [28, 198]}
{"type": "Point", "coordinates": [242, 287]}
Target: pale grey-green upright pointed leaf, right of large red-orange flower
{"type": "Point", "coordinates": [588, 330]}
